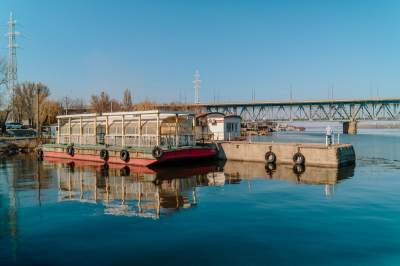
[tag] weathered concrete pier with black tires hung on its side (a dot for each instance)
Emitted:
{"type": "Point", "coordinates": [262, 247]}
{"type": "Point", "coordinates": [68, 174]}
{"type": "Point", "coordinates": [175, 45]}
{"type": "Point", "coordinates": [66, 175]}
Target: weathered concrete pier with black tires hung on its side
{"type": "Point", "coordinates": [314, 154]}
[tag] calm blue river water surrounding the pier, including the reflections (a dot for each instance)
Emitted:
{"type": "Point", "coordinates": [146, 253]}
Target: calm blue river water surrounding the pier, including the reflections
{"type": "Point", "coordinates": [57, 213]}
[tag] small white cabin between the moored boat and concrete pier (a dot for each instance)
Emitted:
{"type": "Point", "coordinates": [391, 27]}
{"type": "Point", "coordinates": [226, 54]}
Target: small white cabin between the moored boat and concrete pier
{"type": "Point", "coordinates": [218, 126]}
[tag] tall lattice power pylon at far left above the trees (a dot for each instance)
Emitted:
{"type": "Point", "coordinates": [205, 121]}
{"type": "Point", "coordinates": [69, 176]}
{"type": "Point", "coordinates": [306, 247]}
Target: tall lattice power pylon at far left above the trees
{"type": "Point", "coordinates": [12, 61]}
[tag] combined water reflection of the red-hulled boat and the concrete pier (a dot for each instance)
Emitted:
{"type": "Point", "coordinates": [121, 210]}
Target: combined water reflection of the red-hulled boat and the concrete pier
{"type": "Point", "coordinates": [151, 193]}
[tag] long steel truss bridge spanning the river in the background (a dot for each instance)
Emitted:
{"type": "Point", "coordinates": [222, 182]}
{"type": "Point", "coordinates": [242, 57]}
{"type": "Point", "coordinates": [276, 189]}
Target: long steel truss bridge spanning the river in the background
{"type": "Point", "coordinates": [348, 111]}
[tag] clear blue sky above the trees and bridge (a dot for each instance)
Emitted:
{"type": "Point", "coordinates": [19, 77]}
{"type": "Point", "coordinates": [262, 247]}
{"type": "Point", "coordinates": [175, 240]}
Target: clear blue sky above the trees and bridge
{"type": "Point", "coordinates": [80, 47]}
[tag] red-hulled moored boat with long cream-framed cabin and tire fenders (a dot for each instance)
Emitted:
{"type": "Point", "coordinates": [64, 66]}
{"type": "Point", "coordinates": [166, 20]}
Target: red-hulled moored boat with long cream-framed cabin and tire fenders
{"type": "Point", "coordinates": [140, 138]}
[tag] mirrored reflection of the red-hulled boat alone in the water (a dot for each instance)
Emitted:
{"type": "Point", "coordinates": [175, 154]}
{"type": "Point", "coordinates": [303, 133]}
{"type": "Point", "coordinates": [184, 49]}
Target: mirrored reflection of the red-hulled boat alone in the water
{"type": "Point", "coordinates": [131, 191]}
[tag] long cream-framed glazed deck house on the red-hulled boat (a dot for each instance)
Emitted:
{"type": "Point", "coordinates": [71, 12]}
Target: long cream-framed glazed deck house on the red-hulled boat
{"type": "Point", "coordinates": [128, 129]}
